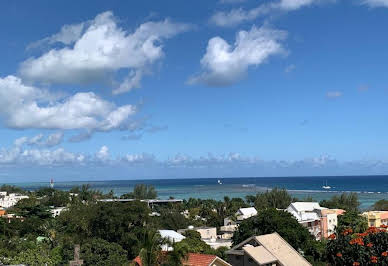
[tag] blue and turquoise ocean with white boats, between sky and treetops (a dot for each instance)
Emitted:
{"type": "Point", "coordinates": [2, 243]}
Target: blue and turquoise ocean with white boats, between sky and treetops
{"type": "Point", "coordinates": [369, 188]}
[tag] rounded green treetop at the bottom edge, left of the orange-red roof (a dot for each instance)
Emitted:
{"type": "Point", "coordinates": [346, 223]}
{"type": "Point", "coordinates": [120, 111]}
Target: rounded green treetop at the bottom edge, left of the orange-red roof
{"type": "Point", "coordinates": [101, 252]}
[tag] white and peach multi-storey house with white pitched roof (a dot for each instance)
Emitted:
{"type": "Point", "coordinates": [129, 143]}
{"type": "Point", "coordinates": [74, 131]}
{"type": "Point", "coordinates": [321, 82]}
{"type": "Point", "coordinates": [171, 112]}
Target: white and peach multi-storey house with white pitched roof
{"type": "Point", "coordinates": [320, 221]}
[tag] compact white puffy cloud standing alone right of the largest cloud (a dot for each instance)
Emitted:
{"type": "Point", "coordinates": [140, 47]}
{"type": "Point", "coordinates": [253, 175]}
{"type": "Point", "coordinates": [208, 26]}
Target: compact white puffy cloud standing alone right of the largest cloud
{"type": "Point", "coordinates": [224, 64]}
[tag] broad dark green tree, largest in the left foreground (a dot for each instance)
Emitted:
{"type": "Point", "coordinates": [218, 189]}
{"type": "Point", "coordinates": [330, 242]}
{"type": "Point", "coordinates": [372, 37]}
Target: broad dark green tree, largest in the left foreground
{"type": "Point", "coordinates": [117, 222]}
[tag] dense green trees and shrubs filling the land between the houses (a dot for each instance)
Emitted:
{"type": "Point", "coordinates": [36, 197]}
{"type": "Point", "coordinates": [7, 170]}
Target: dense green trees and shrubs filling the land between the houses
{"type": "Point", "coordinates": [114, 233]}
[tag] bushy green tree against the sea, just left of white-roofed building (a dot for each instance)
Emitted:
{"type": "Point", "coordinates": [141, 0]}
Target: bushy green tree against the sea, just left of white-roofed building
{"type": "Point", "coordinates": [275, 198]}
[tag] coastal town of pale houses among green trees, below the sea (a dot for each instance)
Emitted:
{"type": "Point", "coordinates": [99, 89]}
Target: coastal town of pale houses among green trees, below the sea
{"type": "Point", "coordinates": [54, 227]}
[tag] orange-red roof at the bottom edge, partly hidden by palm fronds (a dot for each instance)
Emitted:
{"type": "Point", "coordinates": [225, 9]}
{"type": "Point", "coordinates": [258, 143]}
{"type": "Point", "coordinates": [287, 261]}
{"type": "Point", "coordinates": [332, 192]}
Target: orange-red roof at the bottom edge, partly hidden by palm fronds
{"type": "Point", "coordinates": [195, 259]}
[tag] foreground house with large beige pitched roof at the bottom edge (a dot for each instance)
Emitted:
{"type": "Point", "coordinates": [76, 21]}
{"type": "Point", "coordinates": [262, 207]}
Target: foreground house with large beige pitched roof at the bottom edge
{"type": "Point", "coordinates": [270, 249]}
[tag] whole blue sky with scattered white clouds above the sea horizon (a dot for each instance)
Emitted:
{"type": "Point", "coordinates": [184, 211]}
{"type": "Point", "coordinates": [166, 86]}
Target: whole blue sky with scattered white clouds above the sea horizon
{"type": "Point", "coordinates": [192, 89]}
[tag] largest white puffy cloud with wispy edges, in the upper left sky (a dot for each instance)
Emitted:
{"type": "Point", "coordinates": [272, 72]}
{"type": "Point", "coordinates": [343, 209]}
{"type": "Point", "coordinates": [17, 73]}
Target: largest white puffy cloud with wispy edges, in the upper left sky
{"type": "Point", "coordinates": [96, 50]}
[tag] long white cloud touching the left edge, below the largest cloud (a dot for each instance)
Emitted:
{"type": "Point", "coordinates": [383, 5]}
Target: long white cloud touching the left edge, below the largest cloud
{"type": "Point", "coordinates": [31, 107]}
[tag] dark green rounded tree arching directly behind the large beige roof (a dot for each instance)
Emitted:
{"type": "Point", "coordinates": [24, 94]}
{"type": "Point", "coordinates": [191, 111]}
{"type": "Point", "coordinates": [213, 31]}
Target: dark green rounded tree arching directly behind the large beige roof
{"type": "Point", "coordinates": [271, 220]}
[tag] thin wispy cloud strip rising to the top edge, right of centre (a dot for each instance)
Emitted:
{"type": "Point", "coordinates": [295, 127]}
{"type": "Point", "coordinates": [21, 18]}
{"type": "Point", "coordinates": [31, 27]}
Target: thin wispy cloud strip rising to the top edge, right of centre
{"type": "Point", "coordinates": [239, 15]}
